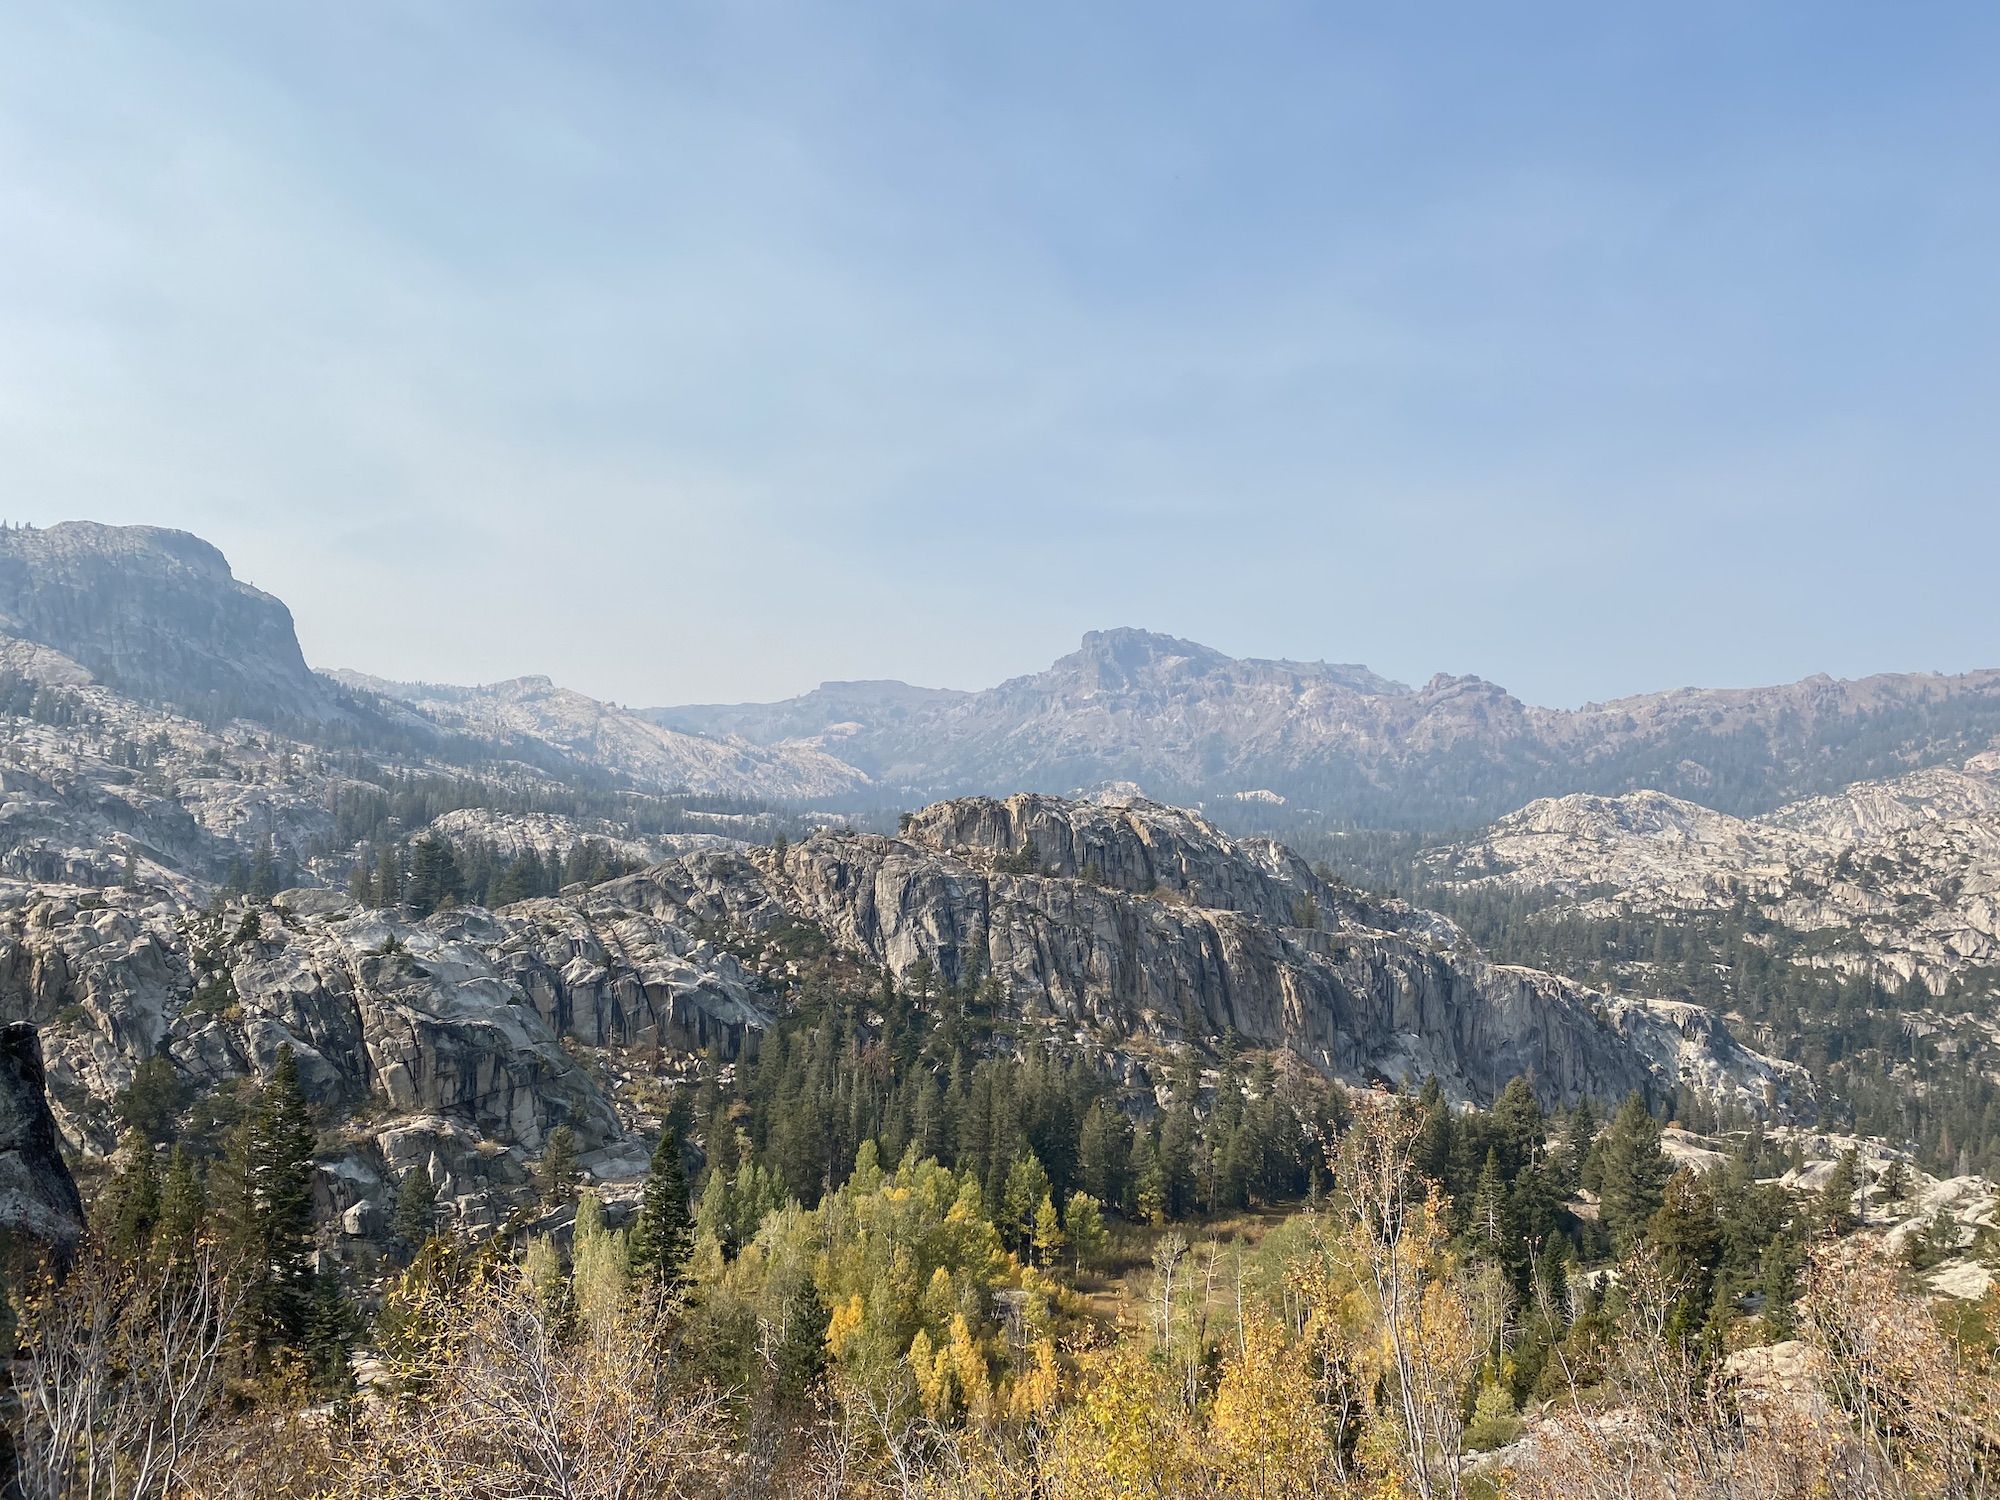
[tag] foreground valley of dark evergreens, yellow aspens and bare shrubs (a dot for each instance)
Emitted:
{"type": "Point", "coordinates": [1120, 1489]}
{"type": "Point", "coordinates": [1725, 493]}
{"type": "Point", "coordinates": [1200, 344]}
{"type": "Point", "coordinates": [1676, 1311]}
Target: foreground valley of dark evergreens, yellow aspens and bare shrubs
{"type": "Point", "coordinates": [909, 1251]}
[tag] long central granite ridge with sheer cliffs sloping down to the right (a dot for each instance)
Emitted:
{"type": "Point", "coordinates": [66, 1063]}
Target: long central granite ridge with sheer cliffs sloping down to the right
{"type": "Point", "coordinates": [1147, 925]}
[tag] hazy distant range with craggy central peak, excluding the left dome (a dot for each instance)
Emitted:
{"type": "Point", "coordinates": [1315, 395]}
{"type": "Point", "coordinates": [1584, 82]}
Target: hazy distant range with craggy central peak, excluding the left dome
{"type": "Point", "coordinates": [1193, 725]}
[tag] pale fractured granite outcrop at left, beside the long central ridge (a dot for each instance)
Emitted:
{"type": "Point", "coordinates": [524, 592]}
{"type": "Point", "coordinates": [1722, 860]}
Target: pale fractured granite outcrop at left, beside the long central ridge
{"type": "Point", "coordinates": [445, 1041]}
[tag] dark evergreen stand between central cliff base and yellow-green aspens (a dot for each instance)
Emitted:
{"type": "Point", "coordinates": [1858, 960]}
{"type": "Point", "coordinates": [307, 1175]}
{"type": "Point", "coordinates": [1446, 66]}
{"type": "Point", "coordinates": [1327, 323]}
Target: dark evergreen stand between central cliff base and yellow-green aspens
{"type": "Point", "coordinates": [923, 1067]}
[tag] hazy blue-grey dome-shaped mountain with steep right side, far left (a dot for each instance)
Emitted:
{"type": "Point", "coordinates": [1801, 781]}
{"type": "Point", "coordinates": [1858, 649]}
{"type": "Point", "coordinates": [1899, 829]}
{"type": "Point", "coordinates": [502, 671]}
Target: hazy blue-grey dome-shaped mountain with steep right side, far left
{"type": "Point", "coordinates": [157, 615]}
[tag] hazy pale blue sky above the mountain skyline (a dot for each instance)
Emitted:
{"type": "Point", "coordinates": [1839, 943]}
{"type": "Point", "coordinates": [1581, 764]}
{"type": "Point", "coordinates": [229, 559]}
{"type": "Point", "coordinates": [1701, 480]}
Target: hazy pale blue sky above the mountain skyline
{"type": "Point", "coordinates": [715, 351]}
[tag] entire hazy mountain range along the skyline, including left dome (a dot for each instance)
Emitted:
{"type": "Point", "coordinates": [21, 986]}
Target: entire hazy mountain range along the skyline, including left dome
{"type": "Point", "coordinates": [157, 617]}
